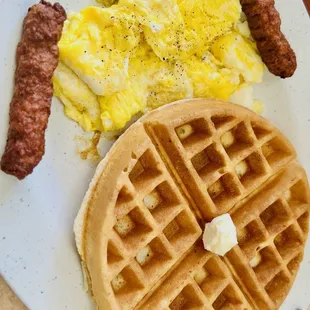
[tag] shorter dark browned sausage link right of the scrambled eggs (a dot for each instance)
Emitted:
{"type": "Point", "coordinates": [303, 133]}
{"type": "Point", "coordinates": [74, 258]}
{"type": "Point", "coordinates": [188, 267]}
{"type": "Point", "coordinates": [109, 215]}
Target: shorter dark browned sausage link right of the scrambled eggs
{"type": "Point", "coordinates": [265, 22]}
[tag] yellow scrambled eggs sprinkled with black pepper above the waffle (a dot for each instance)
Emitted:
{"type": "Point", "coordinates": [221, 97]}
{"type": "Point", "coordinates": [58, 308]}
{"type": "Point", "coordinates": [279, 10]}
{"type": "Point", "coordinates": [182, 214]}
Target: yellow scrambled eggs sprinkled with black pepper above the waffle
{"type": "Point", "coordinates": [136, 55]}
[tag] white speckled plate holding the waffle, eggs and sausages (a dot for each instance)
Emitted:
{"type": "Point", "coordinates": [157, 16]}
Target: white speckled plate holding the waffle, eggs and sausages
{"type": "Point", "coordinates": [37, 251]}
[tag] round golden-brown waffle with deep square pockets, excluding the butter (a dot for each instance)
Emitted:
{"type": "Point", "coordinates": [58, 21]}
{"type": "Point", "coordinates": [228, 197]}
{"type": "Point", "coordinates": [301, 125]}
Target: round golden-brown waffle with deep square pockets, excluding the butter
{"type": "Point", "coordinates": [139, 228]}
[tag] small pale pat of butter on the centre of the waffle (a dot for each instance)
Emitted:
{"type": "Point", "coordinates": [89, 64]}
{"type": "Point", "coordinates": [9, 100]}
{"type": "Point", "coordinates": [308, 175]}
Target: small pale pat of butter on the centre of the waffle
{"type": "Point", "coordinates": [220, 235]}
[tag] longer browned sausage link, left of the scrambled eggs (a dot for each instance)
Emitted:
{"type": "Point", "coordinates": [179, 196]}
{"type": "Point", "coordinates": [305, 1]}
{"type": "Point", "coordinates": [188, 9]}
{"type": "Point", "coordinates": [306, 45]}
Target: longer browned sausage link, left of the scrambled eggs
{"type": "Point", "coordinates": [36, 59]}
